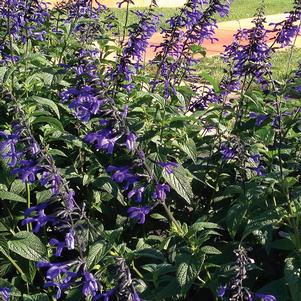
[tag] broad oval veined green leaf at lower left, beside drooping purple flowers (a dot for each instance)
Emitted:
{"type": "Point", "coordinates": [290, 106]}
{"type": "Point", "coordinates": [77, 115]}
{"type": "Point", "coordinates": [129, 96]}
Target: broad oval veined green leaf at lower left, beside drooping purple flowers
{"type": "Point", "coordinates": [28, 245]}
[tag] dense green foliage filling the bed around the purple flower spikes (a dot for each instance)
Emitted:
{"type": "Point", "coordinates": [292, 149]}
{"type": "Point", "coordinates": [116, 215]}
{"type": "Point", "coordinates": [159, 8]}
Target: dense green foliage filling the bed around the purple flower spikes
{"type": "Point", "coordinates": [234, 186]}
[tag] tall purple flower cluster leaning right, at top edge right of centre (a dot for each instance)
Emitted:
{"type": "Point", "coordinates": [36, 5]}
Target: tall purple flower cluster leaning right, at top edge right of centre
{"type": "Point", "coordinates": [195, 24]}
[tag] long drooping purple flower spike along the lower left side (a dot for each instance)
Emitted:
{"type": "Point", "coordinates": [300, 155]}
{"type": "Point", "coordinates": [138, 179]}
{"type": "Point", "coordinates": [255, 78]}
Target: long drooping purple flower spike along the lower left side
{"type": "Point", "coordinates": [33, 164]}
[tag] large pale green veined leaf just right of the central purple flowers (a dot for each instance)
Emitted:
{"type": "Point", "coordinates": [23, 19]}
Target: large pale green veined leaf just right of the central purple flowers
{"type": "Point", "coordinates": [180, 180]}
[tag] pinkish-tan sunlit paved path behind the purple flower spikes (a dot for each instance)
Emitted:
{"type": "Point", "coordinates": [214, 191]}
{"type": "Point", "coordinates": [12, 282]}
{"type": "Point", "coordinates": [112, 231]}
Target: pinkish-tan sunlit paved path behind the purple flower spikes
{"type": "Point", "coordinates": [224, 34]}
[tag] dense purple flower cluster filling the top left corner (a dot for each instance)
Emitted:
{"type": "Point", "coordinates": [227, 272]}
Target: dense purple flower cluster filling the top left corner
{"type": "Point", "coordinates": [21, 20]}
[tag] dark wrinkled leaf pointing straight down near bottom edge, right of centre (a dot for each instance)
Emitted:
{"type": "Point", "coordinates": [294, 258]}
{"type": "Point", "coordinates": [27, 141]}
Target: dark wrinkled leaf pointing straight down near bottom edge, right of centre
{"type": "Point", "coordinates": [188, 268]}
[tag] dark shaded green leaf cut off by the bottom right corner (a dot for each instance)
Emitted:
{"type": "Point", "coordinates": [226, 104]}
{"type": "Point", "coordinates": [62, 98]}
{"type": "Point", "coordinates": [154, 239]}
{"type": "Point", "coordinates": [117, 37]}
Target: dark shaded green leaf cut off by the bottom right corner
{"type": "Point", "coordinates": [292, 276]}
